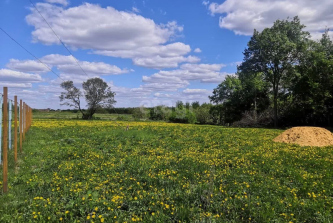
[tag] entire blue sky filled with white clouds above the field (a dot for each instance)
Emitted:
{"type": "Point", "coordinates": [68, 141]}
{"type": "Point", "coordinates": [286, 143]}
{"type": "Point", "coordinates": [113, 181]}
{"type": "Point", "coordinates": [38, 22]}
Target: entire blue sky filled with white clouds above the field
{"type": "Point", "coordinates": [150, 52]}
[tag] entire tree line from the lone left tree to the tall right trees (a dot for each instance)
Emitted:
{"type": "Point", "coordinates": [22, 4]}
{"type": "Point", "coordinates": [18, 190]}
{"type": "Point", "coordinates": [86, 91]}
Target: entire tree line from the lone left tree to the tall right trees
{"type": "Point", "coordinates": [285, 79]}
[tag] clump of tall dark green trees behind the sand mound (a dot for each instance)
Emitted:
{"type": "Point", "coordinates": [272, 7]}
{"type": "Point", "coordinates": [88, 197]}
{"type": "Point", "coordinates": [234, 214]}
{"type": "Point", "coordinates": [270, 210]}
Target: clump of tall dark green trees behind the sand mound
{"type": "Point", "coordinates": [285, 72]}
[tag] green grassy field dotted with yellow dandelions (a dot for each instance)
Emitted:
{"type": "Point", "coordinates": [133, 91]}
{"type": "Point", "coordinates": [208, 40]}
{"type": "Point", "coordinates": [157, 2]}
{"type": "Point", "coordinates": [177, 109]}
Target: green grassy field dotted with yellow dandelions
{"type": "Point", "coordinates": [96, 171]}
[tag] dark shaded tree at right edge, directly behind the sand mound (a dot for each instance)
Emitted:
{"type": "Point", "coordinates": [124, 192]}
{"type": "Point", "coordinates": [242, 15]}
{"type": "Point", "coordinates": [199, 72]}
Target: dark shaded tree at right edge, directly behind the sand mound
{"type": "Point", "coordinates": [311, 88]}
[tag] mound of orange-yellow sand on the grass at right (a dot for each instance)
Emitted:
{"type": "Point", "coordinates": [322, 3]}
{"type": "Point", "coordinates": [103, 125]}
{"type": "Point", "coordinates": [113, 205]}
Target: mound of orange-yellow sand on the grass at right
{"type": "Point", "coordinates": [306, 136]}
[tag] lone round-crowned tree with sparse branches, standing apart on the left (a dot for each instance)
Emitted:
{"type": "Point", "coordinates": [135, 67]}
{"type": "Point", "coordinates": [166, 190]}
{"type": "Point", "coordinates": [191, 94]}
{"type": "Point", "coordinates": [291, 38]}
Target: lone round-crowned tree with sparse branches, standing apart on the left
{"type": "Point", "coordinates": [96, 92]}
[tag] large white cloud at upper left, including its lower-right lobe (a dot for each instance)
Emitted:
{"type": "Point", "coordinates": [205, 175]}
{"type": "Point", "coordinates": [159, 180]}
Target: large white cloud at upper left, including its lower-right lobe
{"type": "Point", "coordinates": [107, 31]}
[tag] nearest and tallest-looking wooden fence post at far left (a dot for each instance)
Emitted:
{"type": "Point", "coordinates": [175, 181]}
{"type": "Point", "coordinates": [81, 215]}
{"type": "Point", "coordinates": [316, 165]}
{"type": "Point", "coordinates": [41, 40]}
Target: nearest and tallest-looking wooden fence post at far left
{"type": "Point", "coordinates": [4, 141]}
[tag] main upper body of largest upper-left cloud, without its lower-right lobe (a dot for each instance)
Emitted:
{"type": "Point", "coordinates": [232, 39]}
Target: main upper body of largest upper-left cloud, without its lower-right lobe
{"type": "Point", "coordinates": [90, 26]}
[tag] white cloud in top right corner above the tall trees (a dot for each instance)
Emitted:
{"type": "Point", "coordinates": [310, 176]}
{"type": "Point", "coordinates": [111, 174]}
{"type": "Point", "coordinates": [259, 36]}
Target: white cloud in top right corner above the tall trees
{"type": "Point", "coordinates": [243, 16]}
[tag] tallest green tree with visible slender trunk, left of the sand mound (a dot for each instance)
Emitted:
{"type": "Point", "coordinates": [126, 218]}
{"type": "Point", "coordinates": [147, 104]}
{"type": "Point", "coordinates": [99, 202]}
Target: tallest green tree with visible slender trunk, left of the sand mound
{"type": "Point", "coordinates": [274, 52]}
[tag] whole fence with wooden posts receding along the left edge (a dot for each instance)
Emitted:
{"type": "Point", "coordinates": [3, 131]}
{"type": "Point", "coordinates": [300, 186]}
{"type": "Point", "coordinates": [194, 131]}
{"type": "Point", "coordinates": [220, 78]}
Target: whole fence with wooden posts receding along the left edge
{"type": "Point", "coordinates": [12, 114]}
